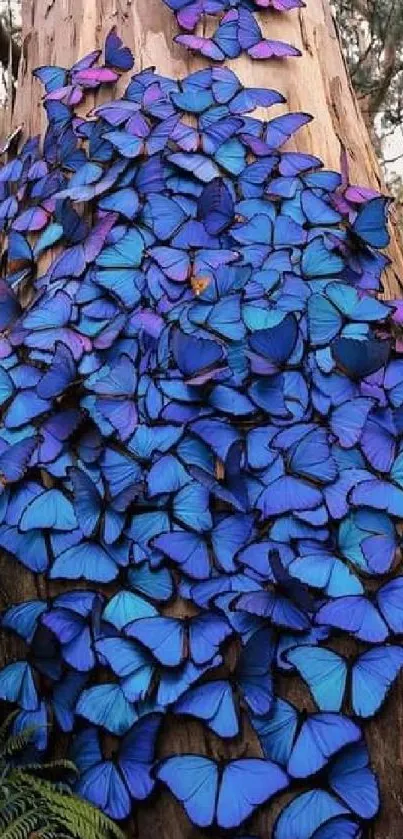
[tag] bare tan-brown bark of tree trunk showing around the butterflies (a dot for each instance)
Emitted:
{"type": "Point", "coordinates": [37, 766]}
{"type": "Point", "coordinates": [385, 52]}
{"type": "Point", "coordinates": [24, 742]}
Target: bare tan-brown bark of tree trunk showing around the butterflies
{"type": "Point", "coordinates": [58, 32]}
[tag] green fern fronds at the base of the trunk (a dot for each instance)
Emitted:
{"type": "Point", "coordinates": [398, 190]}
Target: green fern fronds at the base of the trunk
{"type": "Point", "coordinates": [36, 801]}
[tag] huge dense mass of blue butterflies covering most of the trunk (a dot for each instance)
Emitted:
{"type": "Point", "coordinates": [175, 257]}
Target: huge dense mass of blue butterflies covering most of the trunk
{"type": "Point", "coordinates": [202, 404]}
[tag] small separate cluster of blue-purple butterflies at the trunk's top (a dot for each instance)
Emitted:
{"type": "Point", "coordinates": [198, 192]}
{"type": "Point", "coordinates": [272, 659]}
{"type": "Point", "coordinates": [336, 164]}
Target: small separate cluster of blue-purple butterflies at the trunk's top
{"type": "Point", "coordinates": [238, 30]}
